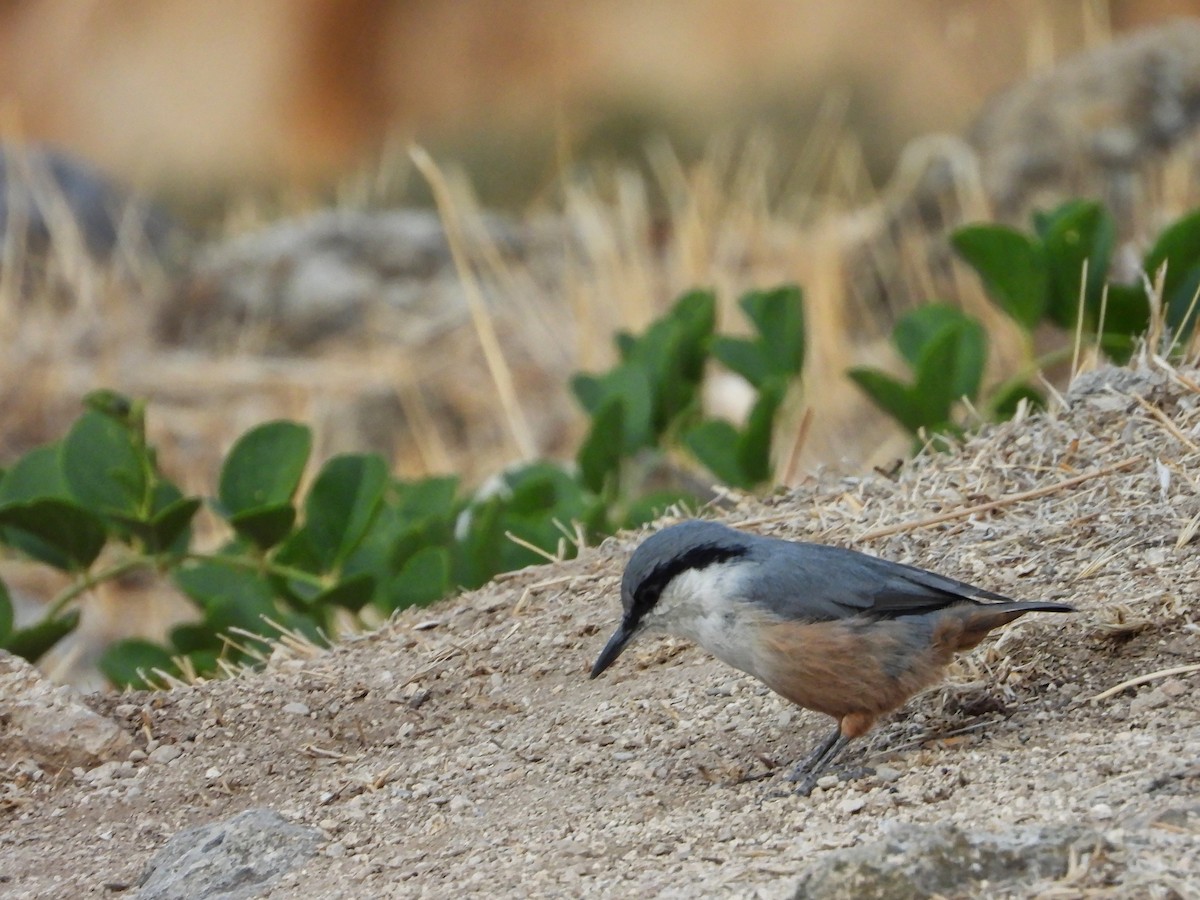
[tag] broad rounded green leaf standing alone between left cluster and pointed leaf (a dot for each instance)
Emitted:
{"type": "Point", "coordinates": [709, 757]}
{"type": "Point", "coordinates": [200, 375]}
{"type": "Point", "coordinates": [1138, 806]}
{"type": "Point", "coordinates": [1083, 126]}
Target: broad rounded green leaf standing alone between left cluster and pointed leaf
{"type": "Point", "coordinates": [265, 467]}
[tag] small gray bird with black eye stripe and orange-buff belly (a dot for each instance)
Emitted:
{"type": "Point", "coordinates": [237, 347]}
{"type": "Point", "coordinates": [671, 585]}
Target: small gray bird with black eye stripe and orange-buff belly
{"type": "Point", "coordinates": [830, 629]}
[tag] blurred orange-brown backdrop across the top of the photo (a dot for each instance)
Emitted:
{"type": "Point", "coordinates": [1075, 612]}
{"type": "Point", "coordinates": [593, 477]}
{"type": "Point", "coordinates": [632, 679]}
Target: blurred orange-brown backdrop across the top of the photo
{"type": "Point", "coordinates": [196, 101]}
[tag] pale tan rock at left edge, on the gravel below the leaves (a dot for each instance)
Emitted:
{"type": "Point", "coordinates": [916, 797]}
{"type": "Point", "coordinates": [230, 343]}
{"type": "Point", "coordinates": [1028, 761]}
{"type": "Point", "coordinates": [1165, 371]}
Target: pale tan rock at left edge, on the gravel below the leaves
{"type": "Point", "coordinates": [50, 724]}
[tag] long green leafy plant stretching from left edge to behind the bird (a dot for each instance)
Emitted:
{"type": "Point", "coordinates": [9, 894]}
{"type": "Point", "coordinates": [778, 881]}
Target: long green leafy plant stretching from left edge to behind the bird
{"type": "Point", "coordinates": [302, 557]}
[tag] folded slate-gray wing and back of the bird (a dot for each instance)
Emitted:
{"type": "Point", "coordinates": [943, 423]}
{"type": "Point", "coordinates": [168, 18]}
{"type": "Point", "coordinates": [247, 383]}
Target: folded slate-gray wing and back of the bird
{"type": "Point", "coordinates": [812, 581]}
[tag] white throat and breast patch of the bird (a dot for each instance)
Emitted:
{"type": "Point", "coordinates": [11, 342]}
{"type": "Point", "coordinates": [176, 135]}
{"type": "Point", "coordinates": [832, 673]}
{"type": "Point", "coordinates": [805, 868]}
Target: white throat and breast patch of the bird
{"type": "Point", "coordinates": [701, 605]}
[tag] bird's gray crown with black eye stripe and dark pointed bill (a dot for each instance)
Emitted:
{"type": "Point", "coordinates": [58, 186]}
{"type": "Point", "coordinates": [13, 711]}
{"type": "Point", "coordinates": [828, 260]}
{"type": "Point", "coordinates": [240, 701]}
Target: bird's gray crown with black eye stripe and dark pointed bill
{"type": "Point", "coordinates": [665, 556]}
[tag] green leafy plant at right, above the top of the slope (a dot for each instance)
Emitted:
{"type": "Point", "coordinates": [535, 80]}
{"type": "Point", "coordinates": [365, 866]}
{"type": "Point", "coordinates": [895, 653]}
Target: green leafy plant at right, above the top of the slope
{"type": "Point", "coordinates": [1057, 275]}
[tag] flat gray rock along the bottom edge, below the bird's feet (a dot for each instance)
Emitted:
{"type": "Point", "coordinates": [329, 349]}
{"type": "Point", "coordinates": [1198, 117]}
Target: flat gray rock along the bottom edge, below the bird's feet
{"type": "Point", "coordinates": [925, 861]}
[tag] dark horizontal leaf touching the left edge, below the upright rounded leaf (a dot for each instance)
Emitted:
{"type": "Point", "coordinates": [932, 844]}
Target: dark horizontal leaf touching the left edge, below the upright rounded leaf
{"type": "Point", "coordinates": [63, 533]}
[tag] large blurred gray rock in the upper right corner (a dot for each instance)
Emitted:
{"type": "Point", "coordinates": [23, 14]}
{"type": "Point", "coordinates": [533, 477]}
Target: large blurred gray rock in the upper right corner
{"type": "Point", "coordinates": [1101, 125]}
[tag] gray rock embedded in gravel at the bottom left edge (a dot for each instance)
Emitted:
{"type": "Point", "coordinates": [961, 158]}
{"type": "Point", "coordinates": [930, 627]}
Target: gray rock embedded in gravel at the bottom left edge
{"type": "Point", "coordinates": [233, 860]}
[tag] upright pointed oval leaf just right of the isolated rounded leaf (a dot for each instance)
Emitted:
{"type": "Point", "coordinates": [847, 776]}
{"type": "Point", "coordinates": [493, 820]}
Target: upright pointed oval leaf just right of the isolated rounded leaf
{"type": "Point", "coordinates": [343, 505]}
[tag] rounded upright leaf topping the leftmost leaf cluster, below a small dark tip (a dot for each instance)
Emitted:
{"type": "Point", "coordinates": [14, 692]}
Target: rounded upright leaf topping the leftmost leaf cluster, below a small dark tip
{"type": "Point", "coordinates": [104, 466]}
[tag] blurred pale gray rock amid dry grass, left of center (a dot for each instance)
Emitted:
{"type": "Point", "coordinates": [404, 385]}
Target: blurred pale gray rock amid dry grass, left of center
{"type": "Point", "coordinates": [335, 274]}
